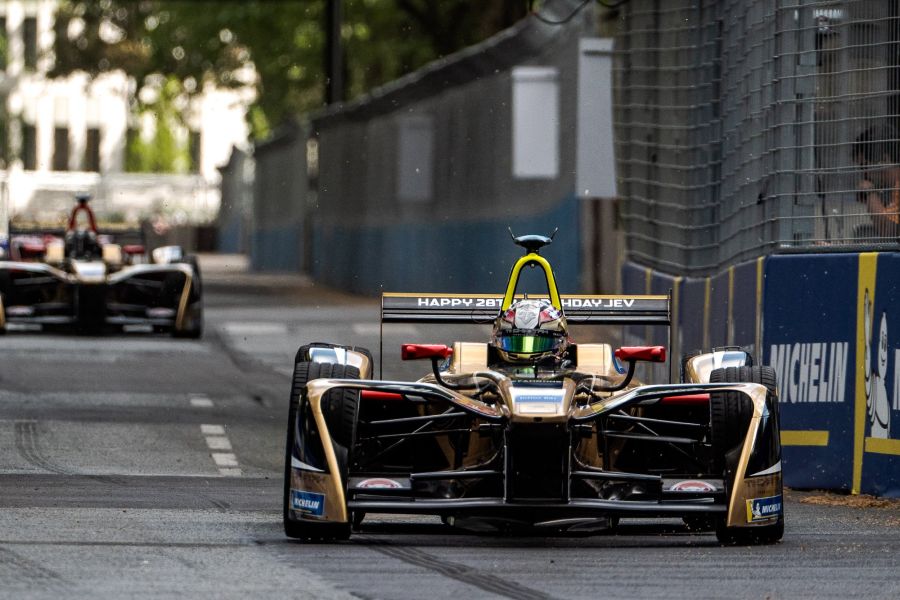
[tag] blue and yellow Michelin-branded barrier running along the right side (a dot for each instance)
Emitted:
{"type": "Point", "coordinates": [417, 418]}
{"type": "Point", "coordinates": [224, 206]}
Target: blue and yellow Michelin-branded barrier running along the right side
{"type": "Point", "coordinates": [829, 326]}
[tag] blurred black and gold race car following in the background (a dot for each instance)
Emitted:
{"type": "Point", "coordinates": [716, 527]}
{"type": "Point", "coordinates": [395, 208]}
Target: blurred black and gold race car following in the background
{"type": "Point", "coordinates": [84, 281]}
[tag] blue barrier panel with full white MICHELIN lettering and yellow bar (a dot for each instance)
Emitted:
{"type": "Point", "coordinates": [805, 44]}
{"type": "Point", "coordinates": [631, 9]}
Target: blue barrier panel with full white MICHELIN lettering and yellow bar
{"type": "Point", "coordinates": [810, 326]}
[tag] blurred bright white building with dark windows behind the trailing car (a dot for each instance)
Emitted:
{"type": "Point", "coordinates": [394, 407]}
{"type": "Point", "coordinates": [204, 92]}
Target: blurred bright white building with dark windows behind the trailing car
{"type": "Point", "coordinates": [59, 135]}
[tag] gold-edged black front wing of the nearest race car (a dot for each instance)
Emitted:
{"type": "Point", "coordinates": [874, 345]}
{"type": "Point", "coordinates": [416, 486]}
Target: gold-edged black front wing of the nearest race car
{"type": "Point", "coordinates": [321, 489]}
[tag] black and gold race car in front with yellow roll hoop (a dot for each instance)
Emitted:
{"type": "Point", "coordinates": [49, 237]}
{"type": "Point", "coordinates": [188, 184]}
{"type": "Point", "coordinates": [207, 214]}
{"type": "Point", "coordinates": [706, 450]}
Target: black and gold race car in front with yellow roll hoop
{"type": "Point", "coordinates": [531, 429]}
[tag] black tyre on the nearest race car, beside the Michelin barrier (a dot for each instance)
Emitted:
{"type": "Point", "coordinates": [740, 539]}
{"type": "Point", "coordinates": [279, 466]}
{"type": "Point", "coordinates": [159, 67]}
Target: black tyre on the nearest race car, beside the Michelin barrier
{"type": "Point", "coordinates": [730, 414]}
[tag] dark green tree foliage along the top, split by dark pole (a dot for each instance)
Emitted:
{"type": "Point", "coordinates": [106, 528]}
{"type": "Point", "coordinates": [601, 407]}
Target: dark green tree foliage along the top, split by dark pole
{"type": "Point", "coordinates": [283, 43]}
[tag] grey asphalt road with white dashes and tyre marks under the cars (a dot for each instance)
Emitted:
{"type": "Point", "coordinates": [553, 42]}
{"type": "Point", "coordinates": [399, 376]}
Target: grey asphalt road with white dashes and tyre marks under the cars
{"type": "Point", "coordinates": [142, 466]}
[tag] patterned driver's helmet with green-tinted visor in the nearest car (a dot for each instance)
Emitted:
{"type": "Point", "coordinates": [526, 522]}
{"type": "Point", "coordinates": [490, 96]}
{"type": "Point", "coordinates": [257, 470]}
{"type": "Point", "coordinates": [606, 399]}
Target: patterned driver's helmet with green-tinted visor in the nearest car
{"type": "Point", "coordinates": [530, 331]}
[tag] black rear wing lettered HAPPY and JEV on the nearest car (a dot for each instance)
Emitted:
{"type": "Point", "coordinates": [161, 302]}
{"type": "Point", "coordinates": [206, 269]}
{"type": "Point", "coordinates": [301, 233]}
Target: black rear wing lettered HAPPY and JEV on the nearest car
{"type": "Point", "coordinates": [484, 308]}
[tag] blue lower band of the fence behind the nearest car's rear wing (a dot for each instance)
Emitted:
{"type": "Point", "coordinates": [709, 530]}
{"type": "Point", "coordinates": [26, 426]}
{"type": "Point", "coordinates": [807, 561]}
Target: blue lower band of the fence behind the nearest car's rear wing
{"type": "Point", "coordinates": [459, 257]}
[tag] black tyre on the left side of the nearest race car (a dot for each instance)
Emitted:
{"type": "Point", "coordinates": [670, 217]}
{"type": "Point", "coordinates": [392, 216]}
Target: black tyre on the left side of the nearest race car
{"type": "Point", "coordinates": [340, 409]}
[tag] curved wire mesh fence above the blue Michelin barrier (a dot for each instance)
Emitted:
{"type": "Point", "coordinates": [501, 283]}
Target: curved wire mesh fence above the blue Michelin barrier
{"type": "Point", "coordinates": [742, 128]}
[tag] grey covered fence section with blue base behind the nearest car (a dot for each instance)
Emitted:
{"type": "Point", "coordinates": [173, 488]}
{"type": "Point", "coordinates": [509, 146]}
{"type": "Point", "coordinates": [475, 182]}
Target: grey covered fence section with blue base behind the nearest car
{"type": "Point", "coordinates": [416, 184]}
